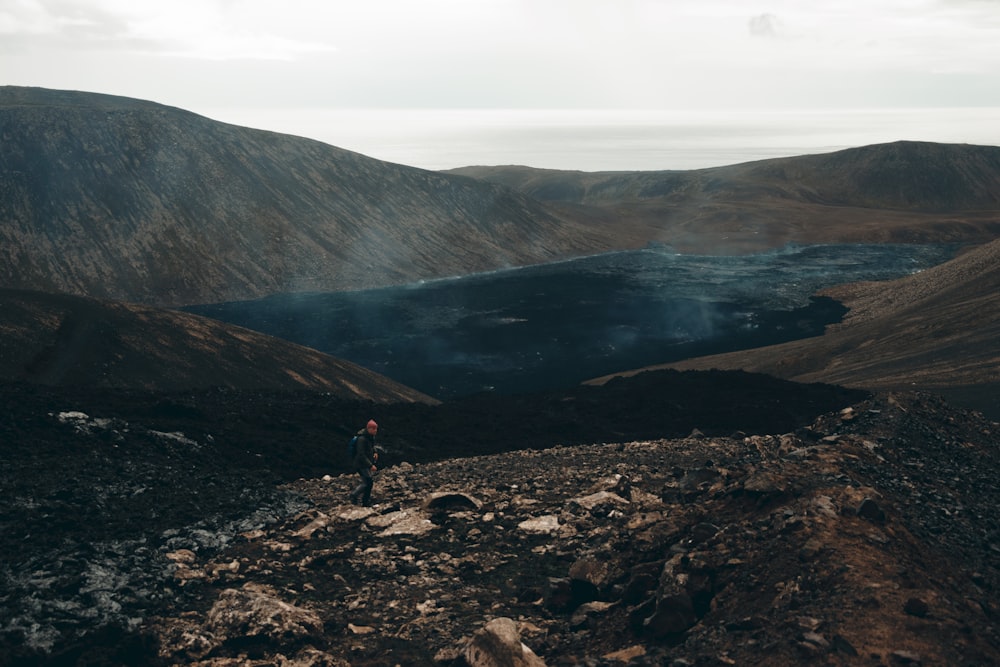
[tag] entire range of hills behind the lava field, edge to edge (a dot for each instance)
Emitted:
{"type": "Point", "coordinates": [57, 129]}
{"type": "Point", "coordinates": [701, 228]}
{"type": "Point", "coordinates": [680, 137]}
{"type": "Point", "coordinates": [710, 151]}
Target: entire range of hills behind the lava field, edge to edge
{"type": "Point", "coordinates": [119, 198]}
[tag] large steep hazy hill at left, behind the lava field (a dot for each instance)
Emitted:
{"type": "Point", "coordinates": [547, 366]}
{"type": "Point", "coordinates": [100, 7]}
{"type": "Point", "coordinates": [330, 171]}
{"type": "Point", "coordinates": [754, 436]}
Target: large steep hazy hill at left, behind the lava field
{"type": "Point", "coordinates": [118, 198]}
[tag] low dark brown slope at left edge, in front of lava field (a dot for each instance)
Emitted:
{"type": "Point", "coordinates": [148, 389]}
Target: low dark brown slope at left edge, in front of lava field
{"type": "Point", "coordinates": [63, 340]}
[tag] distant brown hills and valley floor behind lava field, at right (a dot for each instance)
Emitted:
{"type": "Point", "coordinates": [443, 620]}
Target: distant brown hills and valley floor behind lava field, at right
{"type": "Point", "coordinates": [903, 192]}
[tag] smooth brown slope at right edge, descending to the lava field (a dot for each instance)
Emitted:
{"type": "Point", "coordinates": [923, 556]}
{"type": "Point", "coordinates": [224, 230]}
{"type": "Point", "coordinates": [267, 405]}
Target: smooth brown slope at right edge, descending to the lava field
{"type": "Point", "coordinates": [936, 330]}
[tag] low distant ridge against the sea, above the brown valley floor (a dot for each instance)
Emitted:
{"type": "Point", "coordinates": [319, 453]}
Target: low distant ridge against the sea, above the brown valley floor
{"type": "Point", "coordinates": [909, 175]}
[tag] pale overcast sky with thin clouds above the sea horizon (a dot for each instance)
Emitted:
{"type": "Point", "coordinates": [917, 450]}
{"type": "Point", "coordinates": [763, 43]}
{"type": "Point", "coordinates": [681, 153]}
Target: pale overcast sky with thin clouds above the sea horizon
{"type": "Point", "coordinates": [230, 58]}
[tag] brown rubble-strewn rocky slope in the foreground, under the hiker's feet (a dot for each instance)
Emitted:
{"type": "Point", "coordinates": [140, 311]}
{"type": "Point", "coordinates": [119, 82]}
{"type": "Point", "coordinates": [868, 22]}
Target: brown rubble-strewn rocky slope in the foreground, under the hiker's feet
{"type": "Point", "coordinates": [868, 538]}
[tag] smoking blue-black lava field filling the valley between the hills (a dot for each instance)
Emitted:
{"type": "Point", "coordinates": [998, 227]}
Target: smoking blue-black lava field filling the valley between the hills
{"type": "Point", "coordinates": [558, 324]}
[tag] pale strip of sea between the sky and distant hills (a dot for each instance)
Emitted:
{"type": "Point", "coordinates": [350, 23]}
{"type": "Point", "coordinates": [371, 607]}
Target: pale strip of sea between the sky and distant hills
{"type": "Point", "coordinates": [613, 140]}
